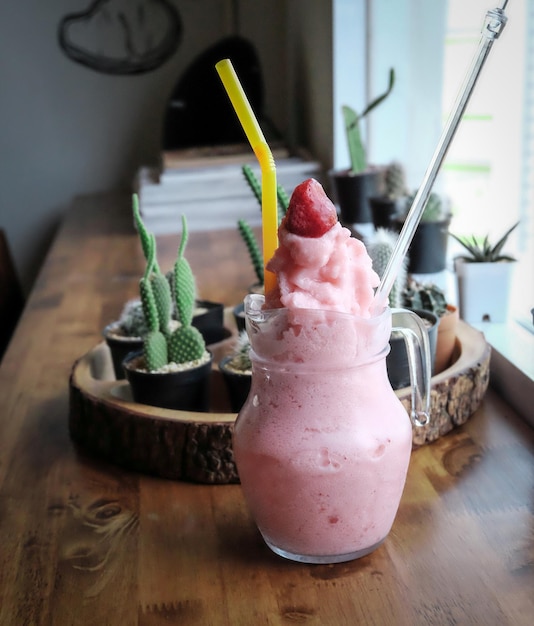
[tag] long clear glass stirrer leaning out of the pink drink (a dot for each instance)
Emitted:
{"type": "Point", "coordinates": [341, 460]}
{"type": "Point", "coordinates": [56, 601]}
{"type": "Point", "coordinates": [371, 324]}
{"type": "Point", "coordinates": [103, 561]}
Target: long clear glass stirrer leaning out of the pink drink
{"type": "Point", "coordinates": [494, 23]}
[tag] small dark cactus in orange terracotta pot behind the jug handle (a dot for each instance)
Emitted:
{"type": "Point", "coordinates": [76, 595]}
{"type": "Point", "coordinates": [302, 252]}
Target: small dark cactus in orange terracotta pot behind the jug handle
{"type": "Point", "coordinates": [430, 297]}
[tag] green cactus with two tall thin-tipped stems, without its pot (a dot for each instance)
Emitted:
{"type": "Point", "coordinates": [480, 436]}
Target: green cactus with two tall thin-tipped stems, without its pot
{"type": "Point", "coordinates": [161, 344]}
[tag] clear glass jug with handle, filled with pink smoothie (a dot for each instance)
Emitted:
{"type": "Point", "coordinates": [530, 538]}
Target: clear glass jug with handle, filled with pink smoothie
{"type": "Point", "coordinates": [322, 444]}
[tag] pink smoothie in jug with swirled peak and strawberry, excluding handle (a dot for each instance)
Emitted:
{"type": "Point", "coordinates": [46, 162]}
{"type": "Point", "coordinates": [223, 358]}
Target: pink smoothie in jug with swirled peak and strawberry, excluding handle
{"type": "Point", "coordinates": [322, 444]}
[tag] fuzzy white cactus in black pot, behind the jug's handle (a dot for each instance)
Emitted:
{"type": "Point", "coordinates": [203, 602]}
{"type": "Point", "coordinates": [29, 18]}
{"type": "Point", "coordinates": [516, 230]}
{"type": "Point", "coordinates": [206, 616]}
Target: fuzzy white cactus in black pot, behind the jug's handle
{"type": "Point", "coordinates": [380, 249]}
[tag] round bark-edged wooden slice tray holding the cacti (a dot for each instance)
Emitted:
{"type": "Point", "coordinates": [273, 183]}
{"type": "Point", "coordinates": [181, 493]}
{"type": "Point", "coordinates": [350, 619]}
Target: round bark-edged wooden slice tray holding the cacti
{"type": "Point", "coordinates": [182, 445]}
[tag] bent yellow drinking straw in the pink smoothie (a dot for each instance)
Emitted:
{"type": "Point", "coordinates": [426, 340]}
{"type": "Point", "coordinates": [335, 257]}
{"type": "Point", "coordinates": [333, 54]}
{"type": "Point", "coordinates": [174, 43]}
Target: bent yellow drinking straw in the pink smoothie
{"type": "Point", "coordinates": [269, 212]}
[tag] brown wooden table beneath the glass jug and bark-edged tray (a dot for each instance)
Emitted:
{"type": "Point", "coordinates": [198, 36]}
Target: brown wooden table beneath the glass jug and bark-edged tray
{"type": "Point", "coordinates": [83, 542]}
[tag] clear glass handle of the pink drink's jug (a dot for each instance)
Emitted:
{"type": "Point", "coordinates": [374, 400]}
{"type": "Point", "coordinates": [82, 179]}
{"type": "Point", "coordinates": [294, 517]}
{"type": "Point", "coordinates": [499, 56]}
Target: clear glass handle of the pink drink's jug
{"type": "Point", "coordinates": [415, 336]}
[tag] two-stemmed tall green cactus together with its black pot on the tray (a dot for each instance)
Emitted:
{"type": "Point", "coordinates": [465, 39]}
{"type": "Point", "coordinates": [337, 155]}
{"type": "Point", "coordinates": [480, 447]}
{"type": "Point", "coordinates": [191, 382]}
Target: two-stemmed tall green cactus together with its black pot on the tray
{"type": "Point", "coordinates": [173, 370]}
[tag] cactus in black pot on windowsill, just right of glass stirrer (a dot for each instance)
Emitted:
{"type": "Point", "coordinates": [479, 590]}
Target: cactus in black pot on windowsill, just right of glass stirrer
{"type": "Point", "coordinates": [428, 249]}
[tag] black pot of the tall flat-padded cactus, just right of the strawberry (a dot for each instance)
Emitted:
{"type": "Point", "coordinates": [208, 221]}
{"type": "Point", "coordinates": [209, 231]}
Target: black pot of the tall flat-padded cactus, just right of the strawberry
{"type": "Point", "coordinates": [352, 193]}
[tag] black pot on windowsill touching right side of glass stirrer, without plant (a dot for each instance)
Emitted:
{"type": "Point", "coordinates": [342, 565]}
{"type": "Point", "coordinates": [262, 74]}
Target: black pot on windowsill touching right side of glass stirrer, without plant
{"type": "Point", "coordinates": [428, 251]}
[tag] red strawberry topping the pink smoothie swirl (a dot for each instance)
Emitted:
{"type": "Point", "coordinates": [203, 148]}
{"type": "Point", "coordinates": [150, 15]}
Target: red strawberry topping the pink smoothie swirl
{"type": "Point", "coordinates": [310, 212]}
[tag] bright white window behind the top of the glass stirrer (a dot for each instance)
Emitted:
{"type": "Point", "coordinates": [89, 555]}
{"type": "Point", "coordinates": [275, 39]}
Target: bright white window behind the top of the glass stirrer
{"type": "Point", "coordinates": [488, 172]}
